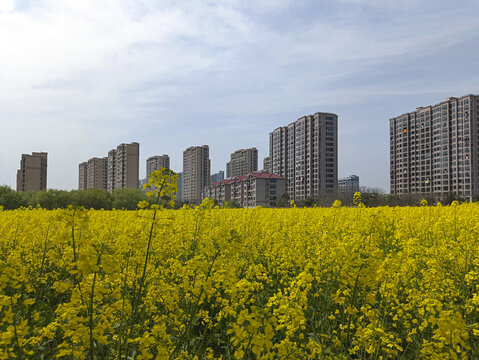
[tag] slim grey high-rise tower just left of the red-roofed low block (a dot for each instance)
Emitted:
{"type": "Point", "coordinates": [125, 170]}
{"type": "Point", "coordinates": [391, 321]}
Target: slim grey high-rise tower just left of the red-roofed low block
{"type": "Point", "coordinates": [196, 172]}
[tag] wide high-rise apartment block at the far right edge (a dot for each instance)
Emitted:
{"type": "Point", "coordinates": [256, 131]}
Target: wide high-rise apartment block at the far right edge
{"type": "Point", "coordinates": [433, 150]}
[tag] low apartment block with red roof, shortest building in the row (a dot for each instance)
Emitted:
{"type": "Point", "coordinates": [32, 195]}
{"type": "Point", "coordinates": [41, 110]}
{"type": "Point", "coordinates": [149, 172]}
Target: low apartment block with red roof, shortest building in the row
{"type": "Point", "coordinates": [254, 189]}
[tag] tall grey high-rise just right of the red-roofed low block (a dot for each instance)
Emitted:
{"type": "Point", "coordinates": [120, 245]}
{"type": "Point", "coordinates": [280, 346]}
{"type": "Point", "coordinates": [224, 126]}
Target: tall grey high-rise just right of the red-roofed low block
{"type": "Point", "coordinates": [306, 153]}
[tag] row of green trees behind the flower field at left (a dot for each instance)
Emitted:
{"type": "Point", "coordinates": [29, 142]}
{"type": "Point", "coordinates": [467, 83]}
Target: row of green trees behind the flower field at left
{"type": "Point", "coordinates": [54, 199]}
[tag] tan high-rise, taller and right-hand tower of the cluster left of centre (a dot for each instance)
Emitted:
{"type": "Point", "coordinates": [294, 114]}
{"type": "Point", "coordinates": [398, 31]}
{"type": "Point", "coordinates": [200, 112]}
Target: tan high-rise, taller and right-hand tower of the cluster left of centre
{"type": "Point", "coordinates": [123, 167]}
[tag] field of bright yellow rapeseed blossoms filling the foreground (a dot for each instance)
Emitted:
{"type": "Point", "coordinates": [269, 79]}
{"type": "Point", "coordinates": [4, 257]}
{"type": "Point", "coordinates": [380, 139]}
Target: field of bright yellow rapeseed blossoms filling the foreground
{"type": "Point", "coordinates": [209, 283]}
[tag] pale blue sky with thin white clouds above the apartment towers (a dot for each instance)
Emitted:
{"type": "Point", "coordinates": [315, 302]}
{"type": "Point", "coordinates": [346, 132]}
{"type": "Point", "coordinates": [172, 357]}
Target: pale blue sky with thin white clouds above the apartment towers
{"type": "Point", "coordinates": [77, 78]}
